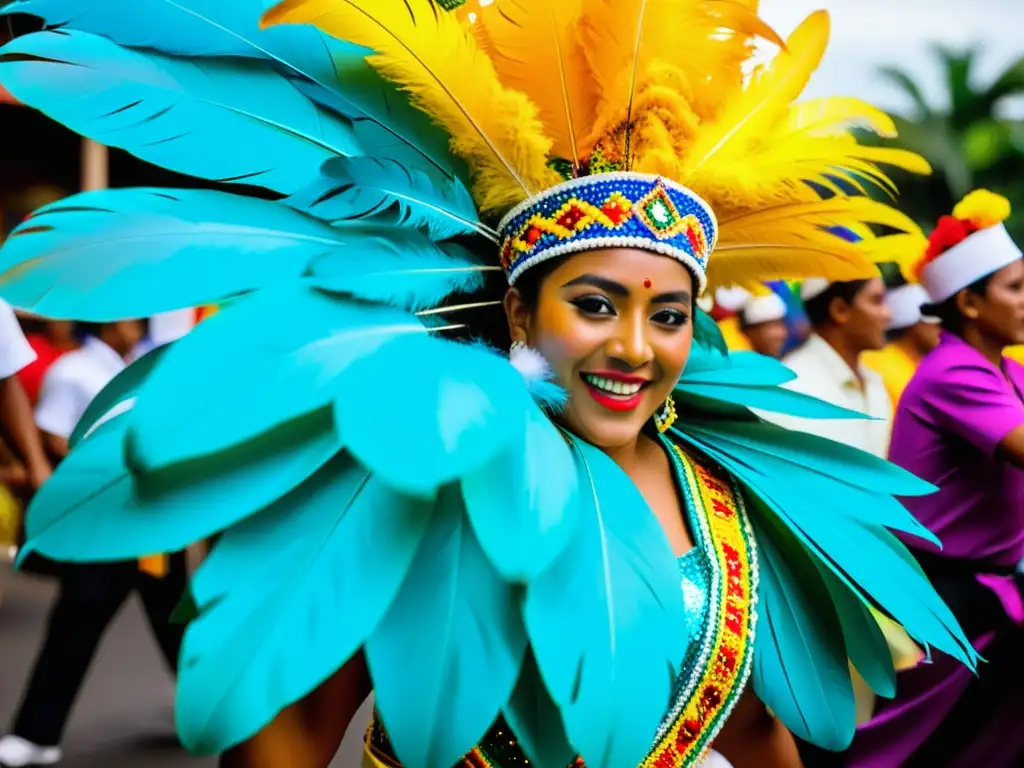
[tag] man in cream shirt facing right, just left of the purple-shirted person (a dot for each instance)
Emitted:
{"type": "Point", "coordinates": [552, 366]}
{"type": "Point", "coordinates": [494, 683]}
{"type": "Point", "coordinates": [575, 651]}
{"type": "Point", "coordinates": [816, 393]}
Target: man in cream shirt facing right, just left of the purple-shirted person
{"type": "Point", "coordinates": [848, 319]}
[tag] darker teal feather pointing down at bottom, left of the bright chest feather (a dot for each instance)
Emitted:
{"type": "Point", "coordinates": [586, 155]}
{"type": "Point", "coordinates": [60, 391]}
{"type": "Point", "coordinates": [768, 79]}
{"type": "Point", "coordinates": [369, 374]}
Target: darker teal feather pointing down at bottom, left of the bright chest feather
{"type": "Point", "coordinates": [447, 657]}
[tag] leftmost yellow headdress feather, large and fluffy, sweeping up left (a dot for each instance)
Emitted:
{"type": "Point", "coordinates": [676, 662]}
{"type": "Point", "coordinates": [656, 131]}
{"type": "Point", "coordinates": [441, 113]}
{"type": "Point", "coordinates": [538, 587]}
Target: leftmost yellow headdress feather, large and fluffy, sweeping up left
{"type": "Point", "coordinates": [439, 61]}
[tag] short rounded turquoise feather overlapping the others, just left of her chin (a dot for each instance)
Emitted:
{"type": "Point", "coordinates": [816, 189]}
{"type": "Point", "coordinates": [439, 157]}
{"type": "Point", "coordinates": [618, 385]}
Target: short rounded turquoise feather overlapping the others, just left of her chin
{"type": "Point", "coordinates": [464, 408]}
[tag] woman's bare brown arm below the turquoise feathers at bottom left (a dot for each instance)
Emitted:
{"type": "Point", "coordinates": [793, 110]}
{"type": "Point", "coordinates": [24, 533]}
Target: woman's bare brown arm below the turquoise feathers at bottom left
{"type": "Point", "coordinates": [309, 734]}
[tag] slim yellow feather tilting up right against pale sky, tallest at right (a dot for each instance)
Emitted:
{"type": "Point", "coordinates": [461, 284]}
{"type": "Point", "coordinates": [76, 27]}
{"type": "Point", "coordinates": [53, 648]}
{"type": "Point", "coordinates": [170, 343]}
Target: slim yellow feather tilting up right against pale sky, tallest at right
{"type": "Point", "coordinates": [767, 99]}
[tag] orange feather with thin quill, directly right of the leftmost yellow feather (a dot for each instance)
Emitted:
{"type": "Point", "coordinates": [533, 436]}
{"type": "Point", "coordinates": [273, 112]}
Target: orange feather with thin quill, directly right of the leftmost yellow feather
{"type": "Point", "coordinates": [537, 52]}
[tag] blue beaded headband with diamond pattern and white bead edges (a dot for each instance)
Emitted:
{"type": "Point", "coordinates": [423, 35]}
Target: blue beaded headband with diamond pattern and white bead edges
{"type": "Point", "coordinates": [610, 210]}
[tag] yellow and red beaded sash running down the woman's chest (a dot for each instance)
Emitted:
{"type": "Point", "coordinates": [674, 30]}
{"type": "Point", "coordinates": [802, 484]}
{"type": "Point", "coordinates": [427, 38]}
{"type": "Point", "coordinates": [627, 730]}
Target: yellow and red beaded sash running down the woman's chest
{"type": "Point", "coordinates": [723, 666]}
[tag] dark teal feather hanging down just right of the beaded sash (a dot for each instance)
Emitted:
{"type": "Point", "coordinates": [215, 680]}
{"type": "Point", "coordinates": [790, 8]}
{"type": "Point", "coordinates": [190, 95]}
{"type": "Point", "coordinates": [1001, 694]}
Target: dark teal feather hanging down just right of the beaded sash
{"type": "Point", "coordinates": [800, 664]}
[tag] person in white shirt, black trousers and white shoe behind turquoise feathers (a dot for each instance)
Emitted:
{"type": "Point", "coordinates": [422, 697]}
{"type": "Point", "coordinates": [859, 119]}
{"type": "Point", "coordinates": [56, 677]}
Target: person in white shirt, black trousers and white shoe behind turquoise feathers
{"type": "Point", "coordinates": [91, 594]}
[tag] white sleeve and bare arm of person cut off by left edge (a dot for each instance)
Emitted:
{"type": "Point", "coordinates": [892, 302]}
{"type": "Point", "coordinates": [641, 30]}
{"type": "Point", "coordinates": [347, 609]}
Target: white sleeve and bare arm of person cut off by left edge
{"type": "Point", "coordinates": [16, 412]}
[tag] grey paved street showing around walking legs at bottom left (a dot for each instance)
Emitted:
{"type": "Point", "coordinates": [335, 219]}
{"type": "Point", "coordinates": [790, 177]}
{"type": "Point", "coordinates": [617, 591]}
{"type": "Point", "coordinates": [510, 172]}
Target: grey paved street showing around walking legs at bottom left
{"type": "Point", "coordinates": [124, 717]}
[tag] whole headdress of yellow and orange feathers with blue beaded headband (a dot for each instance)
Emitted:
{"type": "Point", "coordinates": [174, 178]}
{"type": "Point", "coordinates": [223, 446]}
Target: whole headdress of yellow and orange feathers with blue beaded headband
{"type": "Point", "coordinates": [610, 123]}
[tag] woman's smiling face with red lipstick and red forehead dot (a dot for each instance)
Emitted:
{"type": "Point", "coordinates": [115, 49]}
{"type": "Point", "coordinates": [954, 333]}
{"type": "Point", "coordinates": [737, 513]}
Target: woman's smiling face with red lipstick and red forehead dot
{"type": "Point", "coordinates": [616, 327]}
